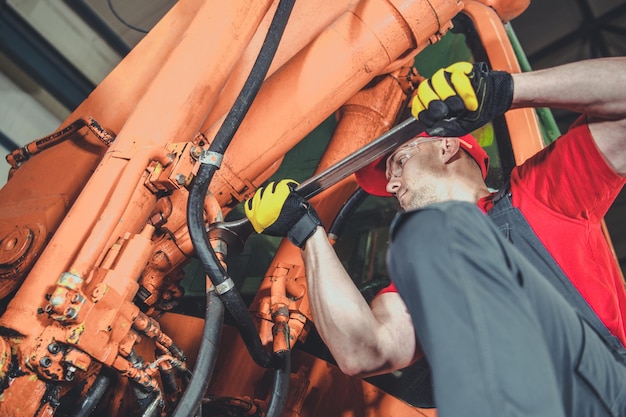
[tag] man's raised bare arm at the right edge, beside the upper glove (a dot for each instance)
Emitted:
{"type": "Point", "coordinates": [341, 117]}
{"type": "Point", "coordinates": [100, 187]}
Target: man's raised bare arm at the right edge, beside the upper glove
{"type": "Point", "coordinates": [593, 87]}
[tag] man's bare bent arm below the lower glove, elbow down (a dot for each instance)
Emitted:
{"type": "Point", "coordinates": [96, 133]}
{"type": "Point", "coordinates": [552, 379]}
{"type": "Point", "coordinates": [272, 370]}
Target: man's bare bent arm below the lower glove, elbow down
{"type": "Point", "coordinates": [364, 340]}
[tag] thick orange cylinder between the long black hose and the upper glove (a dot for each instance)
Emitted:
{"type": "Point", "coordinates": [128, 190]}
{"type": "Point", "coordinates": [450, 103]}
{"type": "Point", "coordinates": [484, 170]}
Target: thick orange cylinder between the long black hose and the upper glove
{"type": "Point", "coordinates": [319, 79]}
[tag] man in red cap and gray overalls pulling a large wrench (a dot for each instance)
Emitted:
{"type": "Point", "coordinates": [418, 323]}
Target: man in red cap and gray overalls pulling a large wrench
{"type": "Point", "coordinates": [529, 328]}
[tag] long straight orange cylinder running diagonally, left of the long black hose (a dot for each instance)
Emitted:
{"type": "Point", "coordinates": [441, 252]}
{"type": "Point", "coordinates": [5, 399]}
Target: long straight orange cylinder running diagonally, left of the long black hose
{"type": "Point", "coordinates": [173, 108]}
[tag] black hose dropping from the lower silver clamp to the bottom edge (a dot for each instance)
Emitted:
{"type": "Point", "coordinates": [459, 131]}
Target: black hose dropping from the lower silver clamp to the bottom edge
{"type": "Point", "coordinates": [207, 355]}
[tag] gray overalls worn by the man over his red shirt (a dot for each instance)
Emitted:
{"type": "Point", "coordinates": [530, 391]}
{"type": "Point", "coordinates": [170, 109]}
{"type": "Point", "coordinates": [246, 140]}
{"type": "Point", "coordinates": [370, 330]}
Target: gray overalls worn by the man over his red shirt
{"type": "Point", "coordinates": [501, 341]}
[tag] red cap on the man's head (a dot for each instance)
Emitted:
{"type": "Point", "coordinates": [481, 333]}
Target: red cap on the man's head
{"type": "Point", "coordinates": [373, 180]}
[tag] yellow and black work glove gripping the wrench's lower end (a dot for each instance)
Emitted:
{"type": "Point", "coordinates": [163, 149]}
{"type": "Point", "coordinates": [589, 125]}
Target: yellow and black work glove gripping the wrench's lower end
{"type": "Point", "coordinates": [277, 210]}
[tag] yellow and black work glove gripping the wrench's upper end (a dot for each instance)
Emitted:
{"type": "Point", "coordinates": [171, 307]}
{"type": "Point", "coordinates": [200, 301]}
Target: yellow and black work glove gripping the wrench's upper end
{"type": "Point", "coordinates": [461, 98]}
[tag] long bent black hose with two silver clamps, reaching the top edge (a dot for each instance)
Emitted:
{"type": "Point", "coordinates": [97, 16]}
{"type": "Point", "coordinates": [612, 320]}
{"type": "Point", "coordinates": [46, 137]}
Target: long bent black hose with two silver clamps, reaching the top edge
{"type": "Point", "coordinates": [195, 206]}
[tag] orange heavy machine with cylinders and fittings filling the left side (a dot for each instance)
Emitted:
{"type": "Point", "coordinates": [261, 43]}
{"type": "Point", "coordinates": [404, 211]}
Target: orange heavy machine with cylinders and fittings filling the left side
{"type": "Point", "coordinates": [89, 222]}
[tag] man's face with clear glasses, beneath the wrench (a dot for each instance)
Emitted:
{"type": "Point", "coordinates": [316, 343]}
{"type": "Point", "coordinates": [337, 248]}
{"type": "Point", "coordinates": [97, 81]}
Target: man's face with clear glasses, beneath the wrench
{"type": "Point", "coordinates": [412, 173]}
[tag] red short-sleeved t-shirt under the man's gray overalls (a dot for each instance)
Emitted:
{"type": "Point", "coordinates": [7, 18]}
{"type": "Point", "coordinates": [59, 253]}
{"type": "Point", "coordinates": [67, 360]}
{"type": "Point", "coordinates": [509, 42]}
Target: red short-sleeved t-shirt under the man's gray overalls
{"type": "Point", "coordinates": [564, 192]}
